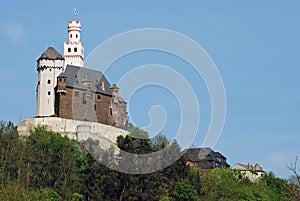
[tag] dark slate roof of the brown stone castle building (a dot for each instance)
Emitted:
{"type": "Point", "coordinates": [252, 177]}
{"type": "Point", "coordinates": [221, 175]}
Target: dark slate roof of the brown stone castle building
{"type": "Point", "coordinates": [76, 76]}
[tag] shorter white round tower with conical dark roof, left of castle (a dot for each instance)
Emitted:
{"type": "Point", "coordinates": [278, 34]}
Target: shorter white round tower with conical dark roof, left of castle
{"type": "Point", "coordinates": [49, 66]}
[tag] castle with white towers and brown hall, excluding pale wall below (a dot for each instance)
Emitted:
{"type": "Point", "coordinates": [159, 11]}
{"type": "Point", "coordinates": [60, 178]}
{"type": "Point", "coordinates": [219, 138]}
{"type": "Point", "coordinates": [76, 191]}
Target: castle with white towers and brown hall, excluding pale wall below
{"type": "Point", "coordinates": [68, 90]}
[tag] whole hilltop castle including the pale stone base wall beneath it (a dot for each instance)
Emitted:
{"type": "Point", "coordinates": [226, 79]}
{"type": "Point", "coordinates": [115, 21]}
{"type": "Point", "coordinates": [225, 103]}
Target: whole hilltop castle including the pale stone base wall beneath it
{"type": "Point", "coordinates": [73, 100]}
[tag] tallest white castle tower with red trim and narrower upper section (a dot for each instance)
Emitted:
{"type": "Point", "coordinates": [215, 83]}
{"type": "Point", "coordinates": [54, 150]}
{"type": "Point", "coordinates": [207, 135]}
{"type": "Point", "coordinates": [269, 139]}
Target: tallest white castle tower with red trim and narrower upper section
{"type": "Point", "coordinates": [74, 50]}
